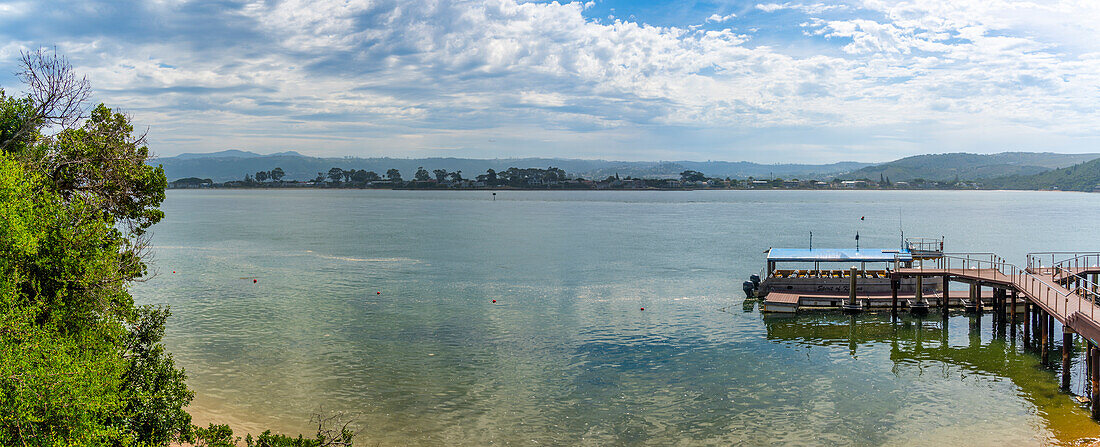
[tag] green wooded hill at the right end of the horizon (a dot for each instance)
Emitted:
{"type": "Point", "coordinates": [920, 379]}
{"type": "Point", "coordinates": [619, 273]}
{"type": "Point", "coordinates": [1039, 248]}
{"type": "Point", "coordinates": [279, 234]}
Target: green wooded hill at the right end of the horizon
{"type": "Point", "coordinates": [967, 167]}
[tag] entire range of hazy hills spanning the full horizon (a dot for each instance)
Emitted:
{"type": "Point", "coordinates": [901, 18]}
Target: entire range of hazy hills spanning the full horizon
{"type": "Point", "coordinates": [229, 166]}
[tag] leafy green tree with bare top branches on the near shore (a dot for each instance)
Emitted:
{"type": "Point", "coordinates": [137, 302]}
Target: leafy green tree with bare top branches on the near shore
{"type": "Point", "coordinates": [80, 364]}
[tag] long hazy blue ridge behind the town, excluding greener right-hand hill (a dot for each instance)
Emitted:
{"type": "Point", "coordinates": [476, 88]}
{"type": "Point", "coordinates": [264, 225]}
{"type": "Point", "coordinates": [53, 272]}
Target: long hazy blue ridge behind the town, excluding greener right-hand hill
{"type": "Point", "coordinates": [232, 166]}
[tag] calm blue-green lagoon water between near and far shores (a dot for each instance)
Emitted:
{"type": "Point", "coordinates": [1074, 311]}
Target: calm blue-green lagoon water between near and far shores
{"type": "Point", "coordinates": [566, 356]}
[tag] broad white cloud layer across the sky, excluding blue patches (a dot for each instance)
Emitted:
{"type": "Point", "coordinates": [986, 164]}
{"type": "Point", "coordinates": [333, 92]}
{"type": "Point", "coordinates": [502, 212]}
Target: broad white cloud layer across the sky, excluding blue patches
{"type": "Point", "coordinates": [375, 73]}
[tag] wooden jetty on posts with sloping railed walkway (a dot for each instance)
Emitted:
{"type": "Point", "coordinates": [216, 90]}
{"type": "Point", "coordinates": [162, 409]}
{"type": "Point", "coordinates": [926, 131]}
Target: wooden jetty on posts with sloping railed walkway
{"type": "Point", "coordinates": [1054, 288]}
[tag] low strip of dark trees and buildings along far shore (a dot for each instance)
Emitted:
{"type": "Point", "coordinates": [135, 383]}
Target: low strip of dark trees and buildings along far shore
{"type": "Point", "coordinates": [548, 179]}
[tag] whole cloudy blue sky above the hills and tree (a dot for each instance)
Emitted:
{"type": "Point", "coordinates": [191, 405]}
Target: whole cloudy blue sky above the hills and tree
{"type": "Point", "coordinates": [809, 82]}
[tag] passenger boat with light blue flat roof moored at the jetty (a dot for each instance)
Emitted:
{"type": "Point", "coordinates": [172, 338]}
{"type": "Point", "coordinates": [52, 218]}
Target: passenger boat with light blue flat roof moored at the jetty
{"type": "Point", "coordinates": [848, 279]}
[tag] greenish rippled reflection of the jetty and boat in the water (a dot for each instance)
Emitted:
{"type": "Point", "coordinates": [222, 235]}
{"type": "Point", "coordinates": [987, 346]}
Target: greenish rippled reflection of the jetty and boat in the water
{"type": "Point", "coordinates": [964, 352]}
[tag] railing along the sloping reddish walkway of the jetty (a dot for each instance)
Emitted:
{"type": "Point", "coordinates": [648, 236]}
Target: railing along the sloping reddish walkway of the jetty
{"type": "Point", "coordinates": [1060, 300]}
